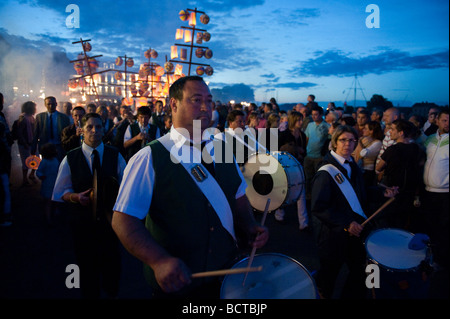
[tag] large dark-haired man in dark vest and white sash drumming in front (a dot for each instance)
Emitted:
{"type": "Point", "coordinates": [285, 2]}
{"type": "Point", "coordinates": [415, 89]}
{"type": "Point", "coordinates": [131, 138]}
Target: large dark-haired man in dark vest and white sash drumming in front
{"type": "Point", "coordinates": [190, 212]}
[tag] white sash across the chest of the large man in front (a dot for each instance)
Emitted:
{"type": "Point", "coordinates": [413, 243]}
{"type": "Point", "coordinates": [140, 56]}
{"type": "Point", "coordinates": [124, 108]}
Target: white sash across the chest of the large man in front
{"type": "Point", "coordinates": [208, 186]}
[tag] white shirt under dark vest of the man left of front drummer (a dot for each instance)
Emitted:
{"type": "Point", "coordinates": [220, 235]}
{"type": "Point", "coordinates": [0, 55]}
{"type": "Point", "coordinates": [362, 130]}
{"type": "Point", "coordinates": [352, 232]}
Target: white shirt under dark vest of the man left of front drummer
{"type": "Point", "coordinates": [63, 182]}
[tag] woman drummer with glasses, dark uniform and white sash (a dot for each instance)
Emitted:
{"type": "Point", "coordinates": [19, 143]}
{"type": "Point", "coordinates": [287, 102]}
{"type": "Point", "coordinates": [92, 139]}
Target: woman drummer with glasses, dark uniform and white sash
{"type": "Point", "coordinates": [341, 235]}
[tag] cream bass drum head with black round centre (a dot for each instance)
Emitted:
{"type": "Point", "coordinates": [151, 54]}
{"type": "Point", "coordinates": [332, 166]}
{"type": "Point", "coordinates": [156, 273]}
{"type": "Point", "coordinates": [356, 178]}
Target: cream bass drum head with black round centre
{"type": "Point", "coordinates": [265, 179]}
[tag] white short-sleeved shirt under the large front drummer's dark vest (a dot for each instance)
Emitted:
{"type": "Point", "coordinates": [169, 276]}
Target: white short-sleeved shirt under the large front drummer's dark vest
{"type": "Point", "coordinates": [136, 189]}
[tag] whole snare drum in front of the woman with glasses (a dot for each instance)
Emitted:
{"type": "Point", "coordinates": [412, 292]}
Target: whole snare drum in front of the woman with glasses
{"type": "Point", "coordinates": [400, 267]}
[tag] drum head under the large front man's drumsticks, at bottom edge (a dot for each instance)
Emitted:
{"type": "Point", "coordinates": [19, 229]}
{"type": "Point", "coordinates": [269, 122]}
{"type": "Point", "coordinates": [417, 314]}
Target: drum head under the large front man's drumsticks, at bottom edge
{"type": "Point", "coordinates": [280, 278]}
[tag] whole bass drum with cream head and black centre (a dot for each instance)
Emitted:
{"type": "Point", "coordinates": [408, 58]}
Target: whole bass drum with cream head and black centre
{"type": "Point", "coordinates": [278, 176]}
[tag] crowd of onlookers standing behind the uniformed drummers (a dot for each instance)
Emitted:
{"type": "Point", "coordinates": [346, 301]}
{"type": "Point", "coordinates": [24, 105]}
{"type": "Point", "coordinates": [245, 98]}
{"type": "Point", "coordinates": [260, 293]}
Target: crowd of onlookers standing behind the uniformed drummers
{"type": "Point", "coordinates": [304, 131]}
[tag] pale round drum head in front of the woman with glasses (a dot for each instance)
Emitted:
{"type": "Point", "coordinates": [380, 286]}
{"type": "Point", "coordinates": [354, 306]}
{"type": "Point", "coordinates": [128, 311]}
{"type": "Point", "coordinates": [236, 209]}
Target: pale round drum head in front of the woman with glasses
{"type": "Point", "coordinates": [389, 248]}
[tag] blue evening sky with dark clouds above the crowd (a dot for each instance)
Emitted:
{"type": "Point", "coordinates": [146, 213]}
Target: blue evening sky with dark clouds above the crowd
{"type": "Point", "coordinates": [282, 48]}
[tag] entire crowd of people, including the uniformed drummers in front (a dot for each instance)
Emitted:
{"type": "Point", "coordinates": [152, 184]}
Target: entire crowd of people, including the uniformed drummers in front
{"type": "Point", "coordinates": [379, 152]}
